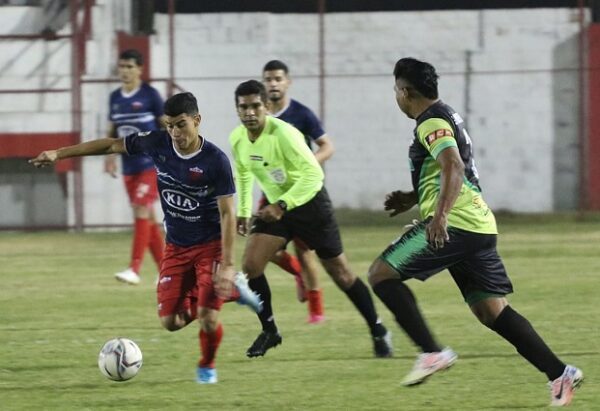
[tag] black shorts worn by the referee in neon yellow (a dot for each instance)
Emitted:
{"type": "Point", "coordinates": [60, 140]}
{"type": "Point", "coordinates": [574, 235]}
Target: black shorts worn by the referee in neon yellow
{"type": "Point", "coordinates": [313, 223]}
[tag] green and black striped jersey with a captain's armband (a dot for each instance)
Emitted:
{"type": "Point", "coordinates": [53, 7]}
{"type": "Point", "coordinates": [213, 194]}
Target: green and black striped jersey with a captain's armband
{"type": "Point", "coordinates": [438, 128]}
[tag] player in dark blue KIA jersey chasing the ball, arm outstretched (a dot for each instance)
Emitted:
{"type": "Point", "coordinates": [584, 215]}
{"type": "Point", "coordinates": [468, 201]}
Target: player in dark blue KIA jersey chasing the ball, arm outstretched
{"type": "Point", "coordinates": [196, 189]}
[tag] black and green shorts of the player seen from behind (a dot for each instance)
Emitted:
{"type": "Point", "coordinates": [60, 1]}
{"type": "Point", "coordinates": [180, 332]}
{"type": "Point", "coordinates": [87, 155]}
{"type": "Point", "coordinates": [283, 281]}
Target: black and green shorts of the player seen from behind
{"type": "Point", "coordinates": [470, 257]}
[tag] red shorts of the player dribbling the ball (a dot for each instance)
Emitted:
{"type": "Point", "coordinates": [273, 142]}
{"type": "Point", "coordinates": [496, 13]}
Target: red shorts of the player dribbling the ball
{"type": "Point", "coordinates": [186, 277]}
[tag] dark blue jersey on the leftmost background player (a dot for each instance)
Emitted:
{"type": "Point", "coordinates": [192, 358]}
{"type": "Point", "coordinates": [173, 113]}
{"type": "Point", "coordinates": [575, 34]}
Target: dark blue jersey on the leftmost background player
{"type": "Point", "coordinates": [134, 112]}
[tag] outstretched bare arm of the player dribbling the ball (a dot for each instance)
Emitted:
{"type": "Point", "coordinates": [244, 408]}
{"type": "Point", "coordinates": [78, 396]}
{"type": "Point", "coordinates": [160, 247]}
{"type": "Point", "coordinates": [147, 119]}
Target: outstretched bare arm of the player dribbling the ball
{"type": "Point", "coordinates": [98, 147]}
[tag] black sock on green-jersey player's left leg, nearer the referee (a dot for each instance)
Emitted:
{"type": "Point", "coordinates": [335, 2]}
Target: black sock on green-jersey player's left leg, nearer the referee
{"type": "Point", "coordinates": [401, 302]}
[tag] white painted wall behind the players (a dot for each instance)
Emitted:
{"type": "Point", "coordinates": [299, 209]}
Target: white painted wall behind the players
{"type": "Point", "coordinates": [511, 98]}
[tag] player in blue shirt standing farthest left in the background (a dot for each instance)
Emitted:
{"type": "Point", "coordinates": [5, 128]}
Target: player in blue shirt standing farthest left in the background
{"type": "Point", "coordinates": [134, 107]}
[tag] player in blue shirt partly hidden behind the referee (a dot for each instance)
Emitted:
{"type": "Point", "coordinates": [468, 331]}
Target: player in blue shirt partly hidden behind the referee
{"type": "Point", "coordinates": [277, 81]}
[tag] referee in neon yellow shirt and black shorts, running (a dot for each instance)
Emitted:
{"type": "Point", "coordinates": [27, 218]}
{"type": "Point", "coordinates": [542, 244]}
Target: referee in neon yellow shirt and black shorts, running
{"type": "Point", "coordinates": [274, 153]}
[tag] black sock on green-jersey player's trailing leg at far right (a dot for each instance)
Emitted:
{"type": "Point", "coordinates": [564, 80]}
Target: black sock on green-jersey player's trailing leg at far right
{"type": "Point", "coordinates": [519, 332]}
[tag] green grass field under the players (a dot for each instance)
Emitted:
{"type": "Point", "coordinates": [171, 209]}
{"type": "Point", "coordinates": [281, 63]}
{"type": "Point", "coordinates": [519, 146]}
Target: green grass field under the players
{"type": "Point", "coordinates": [60, 303]}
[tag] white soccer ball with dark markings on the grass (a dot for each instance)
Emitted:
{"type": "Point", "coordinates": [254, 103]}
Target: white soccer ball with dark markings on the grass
{"type": "Point", "coordinates": [120, 359]}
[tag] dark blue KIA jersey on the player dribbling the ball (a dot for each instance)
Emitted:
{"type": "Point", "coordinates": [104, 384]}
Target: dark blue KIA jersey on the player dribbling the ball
{"type": "Point", "coordinates": [188, 186]}
